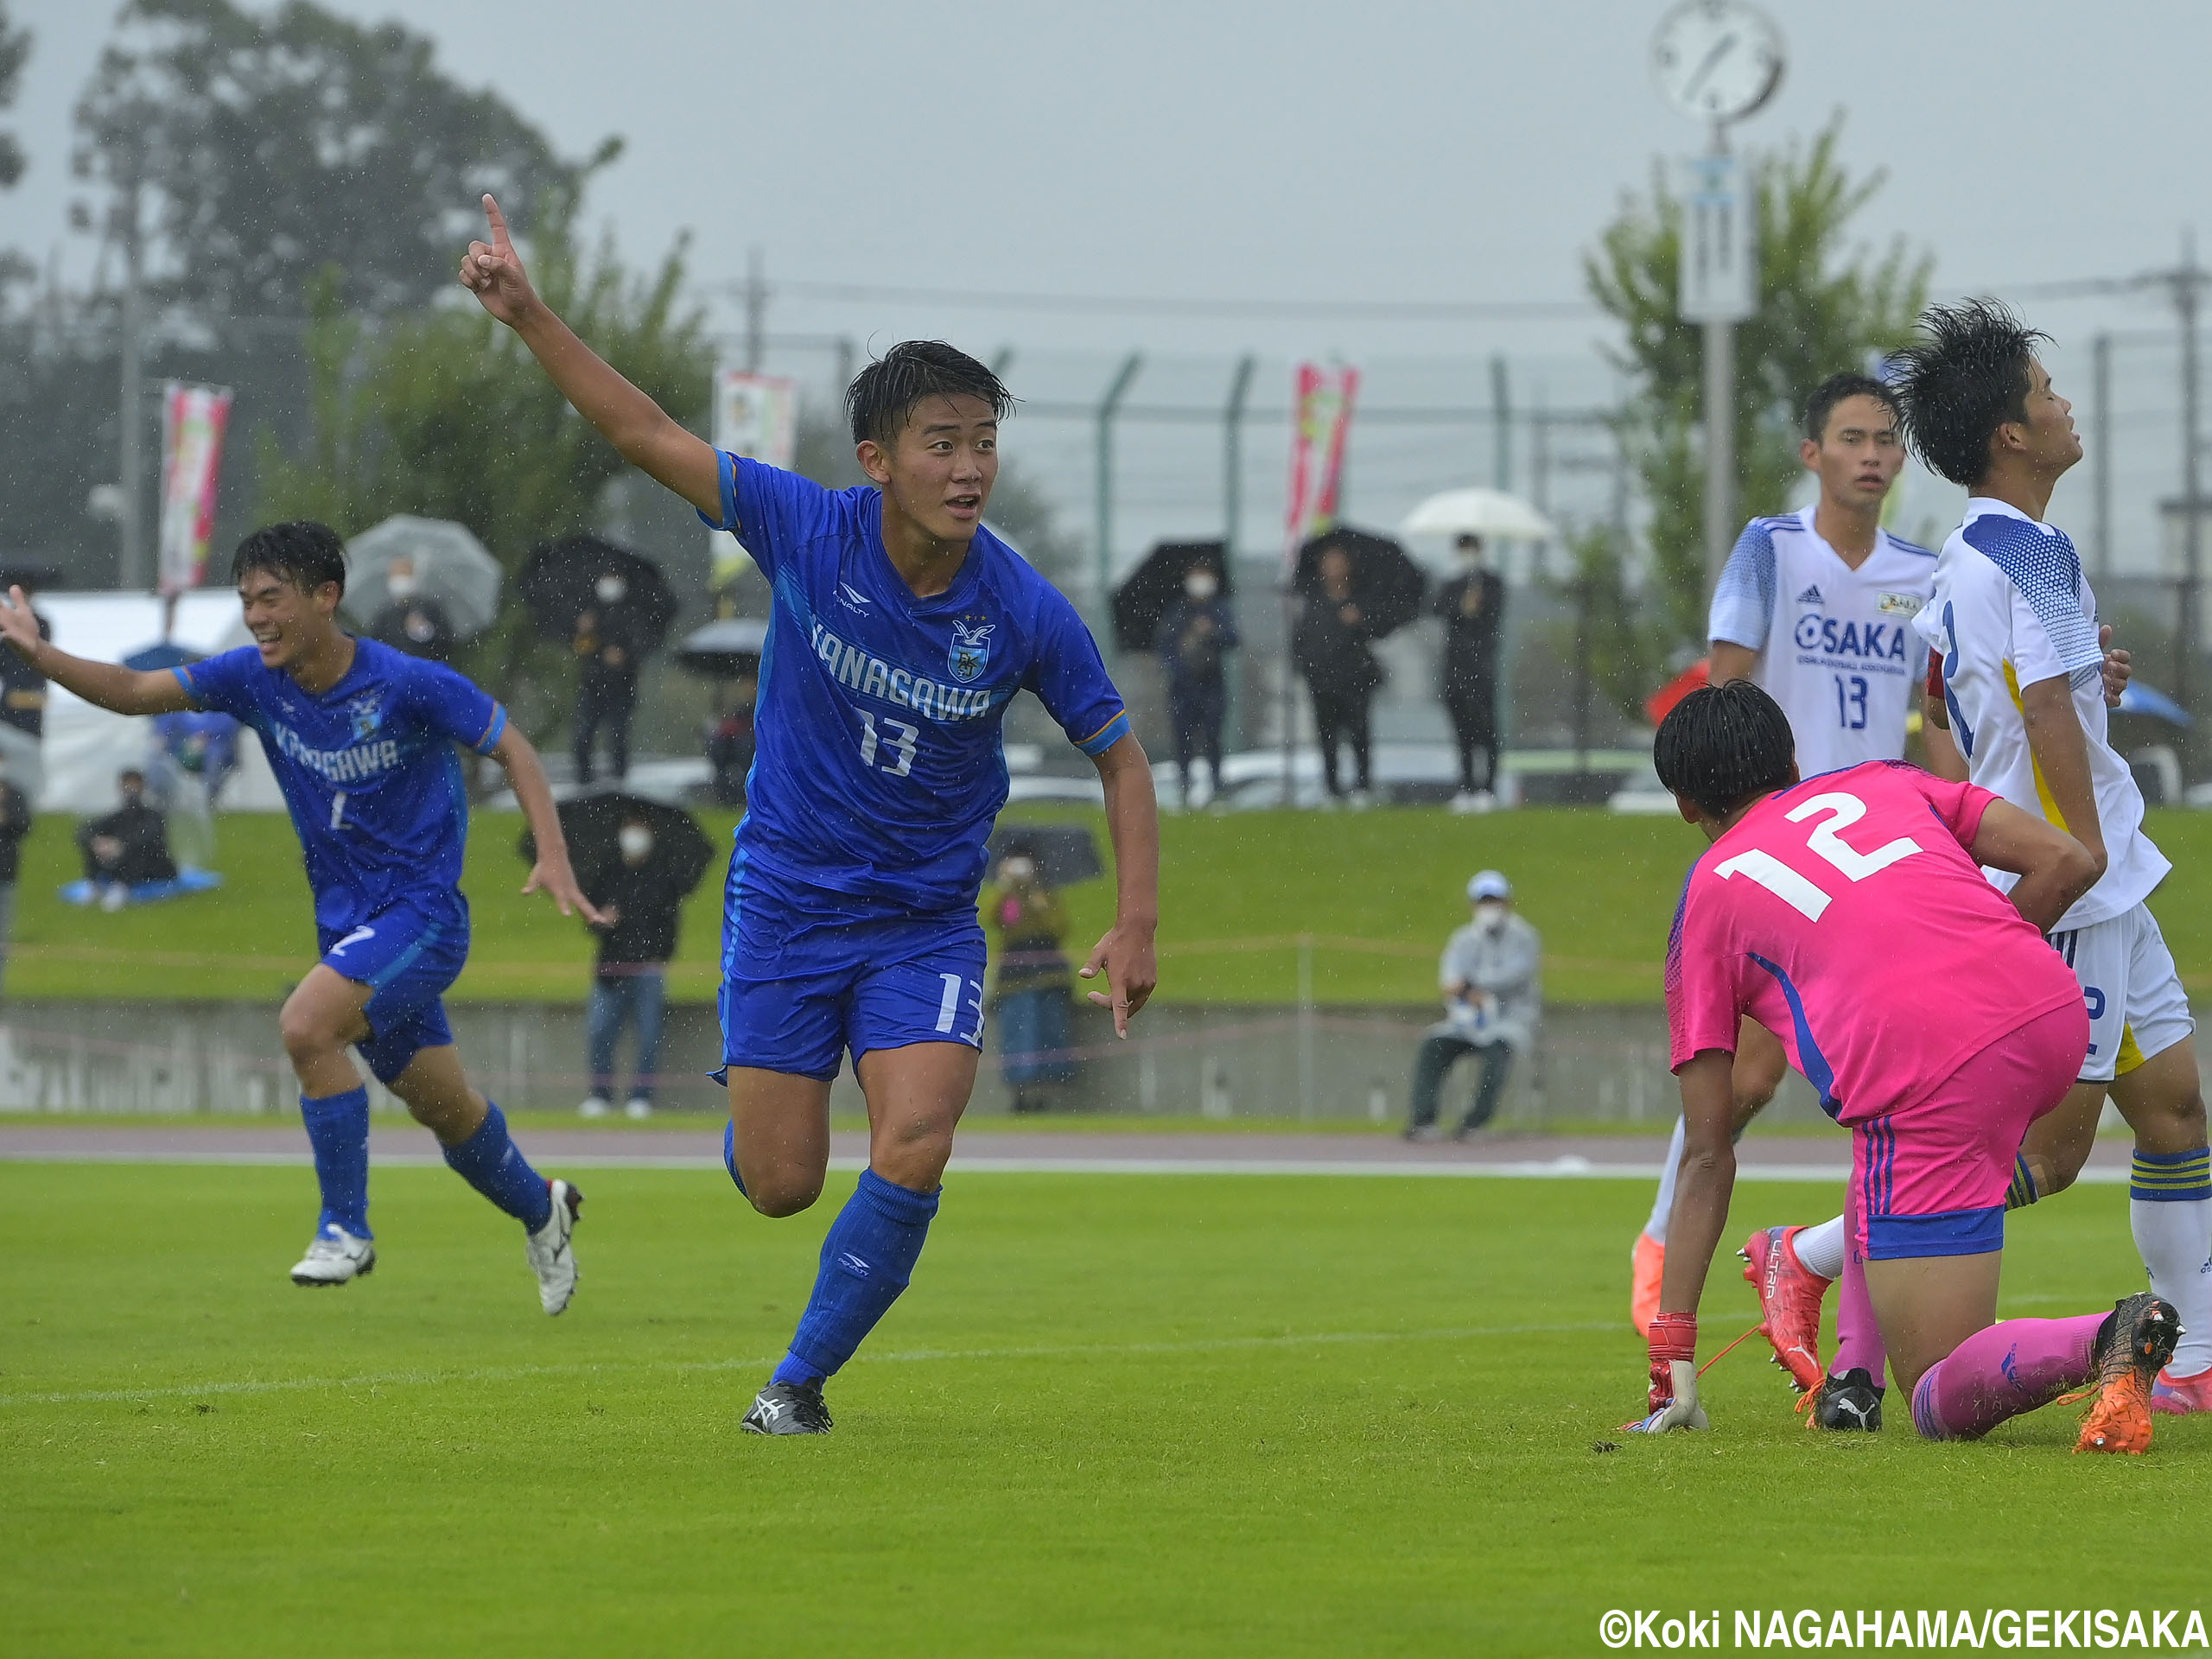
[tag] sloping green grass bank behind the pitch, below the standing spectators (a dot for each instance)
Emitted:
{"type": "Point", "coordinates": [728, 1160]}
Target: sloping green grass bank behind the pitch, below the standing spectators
{"type": "Point", "coordinates": [1377, 893]}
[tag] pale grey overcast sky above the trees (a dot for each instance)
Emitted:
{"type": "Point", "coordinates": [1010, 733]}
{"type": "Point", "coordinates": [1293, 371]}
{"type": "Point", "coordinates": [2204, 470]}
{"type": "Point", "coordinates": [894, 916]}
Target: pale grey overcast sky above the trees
{"type": "Point", "coordinates": [1275, 152]}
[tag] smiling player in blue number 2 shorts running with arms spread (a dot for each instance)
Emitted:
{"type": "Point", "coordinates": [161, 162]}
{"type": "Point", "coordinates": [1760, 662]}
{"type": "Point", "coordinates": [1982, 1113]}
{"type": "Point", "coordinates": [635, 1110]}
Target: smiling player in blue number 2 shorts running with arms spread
{"type": "Point", "coordinates": [362, 742]}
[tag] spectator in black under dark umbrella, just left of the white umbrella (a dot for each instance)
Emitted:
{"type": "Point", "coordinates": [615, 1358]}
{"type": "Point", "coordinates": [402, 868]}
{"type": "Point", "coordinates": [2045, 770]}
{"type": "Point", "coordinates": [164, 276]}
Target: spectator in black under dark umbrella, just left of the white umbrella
{"type": "Point", "coordinates": [1355, 589]}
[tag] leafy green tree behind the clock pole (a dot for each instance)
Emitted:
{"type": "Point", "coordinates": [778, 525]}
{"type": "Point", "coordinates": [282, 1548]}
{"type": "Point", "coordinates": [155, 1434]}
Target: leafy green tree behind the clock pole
{"type": "Point", "coordinates": [1824, 306]}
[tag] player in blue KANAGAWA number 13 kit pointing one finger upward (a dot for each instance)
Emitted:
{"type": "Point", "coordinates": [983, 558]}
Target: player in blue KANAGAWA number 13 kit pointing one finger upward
{"type": "Point", "coordinates": [899, 634]}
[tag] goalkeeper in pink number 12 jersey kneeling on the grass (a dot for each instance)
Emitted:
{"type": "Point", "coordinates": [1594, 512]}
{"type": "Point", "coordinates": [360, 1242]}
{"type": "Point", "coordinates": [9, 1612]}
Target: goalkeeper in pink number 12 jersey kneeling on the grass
{"type": "Point", "coordinates": [1850, 917]}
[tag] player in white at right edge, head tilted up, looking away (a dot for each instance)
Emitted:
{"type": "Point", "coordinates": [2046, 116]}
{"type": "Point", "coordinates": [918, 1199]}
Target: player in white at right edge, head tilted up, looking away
{"type": "Point", "coordinates": [2023, 687]}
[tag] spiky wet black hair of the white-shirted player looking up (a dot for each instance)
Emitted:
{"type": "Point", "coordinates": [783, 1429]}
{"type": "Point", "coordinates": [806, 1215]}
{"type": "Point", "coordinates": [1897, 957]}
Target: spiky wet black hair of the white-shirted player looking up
{"type": "Point", "coordinates": [1961, 382]}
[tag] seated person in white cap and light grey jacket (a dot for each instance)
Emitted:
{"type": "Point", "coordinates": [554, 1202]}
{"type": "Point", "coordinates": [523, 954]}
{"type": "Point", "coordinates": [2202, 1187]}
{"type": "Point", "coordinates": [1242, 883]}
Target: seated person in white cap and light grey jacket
{"type": "Point", "coordinates": [1492, 1001]}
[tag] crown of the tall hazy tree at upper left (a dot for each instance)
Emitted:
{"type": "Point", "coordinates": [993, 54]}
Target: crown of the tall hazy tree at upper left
{"type": "Point", "coordinates": [275, 147]}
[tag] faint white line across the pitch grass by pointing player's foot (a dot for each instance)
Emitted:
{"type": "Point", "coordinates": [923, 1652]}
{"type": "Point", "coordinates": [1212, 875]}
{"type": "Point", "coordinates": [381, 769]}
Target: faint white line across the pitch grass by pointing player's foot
{"type": "Point", "coordinates": [910, 1357]}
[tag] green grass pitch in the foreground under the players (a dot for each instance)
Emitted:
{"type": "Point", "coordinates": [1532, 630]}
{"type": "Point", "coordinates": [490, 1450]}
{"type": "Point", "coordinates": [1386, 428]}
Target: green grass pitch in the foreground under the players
{"type": "Point", "coordinates": [1116, 1415]}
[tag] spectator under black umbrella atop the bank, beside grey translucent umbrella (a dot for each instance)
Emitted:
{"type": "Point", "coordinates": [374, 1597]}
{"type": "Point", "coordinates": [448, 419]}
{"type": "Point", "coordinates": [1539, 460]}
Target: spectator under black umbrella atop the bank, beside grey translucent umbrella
{"type": "Point", "coordinates": [614, 609]}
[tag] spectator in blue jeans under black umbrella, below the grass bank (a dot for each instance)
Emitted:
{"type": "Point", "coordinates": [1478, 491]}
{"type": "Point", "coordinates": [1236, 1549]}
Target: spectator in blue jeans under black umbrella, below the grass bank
{"type": "Point", "coordinates": [636, 862]}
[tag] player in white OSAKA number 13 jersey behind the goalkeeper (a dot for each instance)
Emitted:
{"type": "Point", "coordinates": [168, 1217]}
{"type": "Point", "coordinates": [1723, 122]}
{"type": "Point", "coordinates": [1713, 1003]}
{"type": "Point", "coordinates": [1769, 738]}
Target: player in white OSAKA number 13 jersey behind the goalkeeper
{"type": "Point", "coordinates": [1817, 607]}
